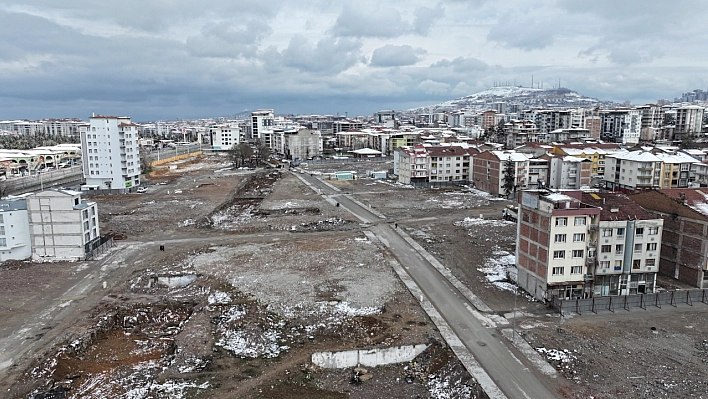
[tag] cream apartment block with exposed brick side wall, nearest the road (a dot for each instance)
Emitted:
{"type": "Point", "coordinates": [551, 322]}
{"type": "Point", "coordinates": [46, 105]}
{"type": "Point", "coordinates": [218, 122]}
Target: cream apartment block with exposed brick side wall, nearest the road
{"type": "Point", "coordinates": [552, 256]}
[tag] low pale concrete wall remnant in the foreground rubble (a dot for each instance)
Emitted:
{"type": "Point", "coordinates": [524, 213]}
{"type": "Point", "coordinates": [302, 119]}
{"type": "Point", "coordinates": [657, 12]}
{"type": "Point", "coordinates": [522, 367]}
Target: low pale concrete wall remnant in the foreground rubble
{"type": "Point", "coordinates": [367, 357]}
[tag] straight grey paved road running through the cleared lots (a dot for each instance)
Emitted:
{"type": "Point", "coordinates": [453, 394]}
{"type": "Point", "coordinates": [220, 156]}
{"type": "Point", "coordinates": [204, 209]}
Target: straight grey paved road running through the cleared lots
{"type": "Point", "coordinates": [511, 375]}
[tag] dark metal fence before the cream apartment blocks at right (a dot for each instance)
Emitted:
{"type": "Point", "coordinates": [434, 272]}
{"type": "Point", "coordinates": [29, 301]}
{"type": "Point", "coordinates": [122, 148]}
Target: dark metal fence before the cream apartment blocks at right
{"type": "Point", "coordinates": [627, 302]}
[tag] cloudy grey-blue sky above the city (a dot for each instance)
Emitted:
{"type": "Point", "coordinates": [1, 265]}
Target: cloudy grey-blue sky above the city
{"type": "Point", "coordinates": [166, 59]}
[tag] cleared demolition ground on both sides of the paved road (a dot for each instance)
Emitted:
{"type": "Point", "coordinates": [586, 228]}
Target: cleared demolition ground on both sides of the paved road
{"type": "Point", "coordinates": [259, 273]}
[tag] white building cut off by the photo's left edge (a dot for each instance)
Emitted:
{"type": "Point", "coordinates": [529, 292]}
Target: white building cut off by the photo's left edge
{"type": "Point", "coordinates": [15, 239]}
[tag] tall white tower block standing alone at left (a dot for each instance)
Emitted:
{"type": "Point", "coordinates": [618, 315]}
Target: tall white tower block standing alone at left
{"type": "Point", "coordinates": [110, 154]}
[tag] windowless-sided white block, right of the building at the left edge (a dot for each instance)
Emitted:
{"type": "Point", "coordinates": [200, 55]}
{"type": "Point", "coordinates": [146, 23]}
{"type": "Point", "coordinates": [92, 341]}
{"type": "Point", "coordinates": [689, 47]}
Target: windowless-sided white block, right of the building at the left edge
{"type": "Point", "coordinates": [61, 224]}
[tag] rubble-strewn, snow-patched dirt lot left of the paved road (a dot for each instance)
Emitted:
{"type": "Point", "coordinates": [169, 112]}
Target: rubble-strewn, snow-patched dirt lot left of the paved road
{"type": "Point", "coordinates": [251, 284]}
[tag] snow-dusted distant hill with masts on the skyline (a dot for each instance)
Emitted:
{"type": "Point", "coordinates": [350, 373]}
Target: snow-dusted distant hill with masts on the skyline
{"type": "Point", "coordinates": [525, 97]}
